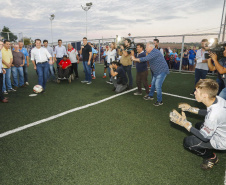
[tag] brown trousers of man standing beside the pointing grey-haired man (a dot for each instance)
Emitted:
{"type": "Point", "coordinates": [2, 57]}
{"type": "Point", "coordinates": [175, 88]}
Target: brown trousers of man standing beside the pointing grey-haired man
{"type": "Point", "coordinates": [142, 78]}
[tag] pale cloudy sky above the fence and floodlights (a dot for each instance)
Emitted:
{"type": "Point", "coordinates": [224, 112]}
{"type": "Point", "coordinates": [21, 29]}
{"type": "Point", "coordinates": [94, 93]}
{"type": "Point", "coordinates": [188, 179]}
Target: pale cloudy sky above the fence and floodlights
{"type": "Point", "coordinates": [108, 18]}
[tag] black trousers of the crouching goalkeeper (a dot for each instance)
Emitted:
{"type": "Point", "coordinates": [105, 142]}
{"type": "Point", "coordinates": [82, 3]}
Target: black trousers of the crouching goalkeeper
{"type": "Point", "coordinates": [197, 146]}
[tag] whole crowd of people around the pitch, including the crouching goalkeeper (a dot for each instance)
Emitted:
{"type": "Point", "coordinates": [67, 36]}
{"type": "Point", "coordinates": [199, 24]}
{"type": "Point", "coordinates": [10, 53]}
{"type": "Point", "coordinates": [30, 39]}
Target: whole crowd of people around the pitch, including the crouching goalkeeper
{"type": "Point", "coordinates": [206, 136]}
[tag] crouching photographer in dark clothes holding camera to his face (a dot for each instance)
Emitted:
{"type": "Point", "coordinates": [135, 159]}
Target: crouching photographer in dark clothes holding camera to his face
{"type": "Point", "coordinates": [118, 77]}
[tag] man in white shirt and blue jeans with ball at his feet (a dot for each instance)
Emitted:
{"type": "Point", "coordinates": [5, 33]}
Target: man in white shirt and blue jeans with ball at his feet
{"type": "Point", "coordinates": [43, 59]}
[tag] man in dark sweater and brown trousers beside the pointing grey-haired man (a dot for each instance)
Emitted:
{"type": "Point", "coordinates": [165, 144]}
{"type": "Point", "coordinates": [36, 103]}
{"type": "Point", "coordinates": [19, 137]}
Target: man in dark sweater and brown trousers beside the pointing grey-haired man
{"type": "Point", "coordinates": [142, 71]}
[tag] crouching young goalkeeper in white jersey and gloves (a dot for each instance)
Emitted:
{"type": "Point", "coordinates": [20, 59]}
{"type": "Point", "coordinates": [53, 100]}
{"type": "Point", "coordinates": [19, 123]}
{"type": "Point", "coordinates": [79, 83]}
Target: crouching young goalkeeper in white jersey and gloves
{"type": "Point", "coordinates": [211, 134]}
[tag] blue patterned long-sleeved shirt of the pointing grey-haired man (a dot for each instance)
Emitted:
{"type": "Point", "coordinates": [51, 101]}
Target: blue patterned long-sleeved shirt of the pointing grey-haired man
{"type": "Point", "coordinates": [157, 62]}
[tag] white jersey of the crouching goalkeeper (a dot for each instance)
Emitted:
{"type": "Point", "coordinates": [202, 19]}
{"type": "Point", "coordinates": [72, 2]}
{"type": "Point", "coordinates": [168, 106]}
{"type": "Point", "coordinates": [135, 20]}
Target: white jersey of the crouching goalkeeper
{"type": "Point", "coordinates": [214, 127]}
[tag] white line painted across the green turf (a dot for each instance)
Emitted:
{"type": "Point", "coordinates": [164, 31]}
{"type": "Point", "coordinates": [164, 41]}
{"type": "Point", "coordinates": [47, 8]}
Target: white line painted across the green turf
{"type": "Point", "coordinates": [74, 110]}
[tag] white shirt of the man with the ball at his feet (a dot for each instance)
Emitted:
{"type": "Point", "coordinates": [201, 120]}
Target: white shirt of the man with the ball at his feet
{"type": "Point", "coordinates": [40, 55]}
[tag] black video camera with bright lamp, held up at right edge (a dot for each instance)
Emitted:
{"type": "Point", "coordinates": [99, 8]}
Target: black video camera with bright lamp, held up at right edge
{"type": "Point", "coordinates": [216, 48]}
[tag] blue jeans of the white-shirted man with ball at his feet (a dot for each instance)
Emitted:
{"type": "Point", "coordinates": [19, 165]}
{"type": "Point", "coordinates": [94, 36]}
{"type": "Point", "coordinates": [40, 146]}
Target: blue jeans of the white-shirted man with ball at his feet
{"type": "Point", "coordinates": [42, 70]}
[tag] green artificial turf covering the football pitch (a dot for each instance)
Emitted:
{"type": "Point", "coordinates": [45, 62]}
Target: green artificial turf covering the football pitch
{"type": "Point", "coordinates": [125, 140]}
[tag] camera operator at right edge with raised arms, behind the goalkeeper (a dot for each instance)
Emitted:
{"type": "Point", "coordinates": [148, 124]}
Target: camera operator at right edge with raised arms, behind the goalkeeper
{"type": "Point", "coordinates": [221, 68]}
